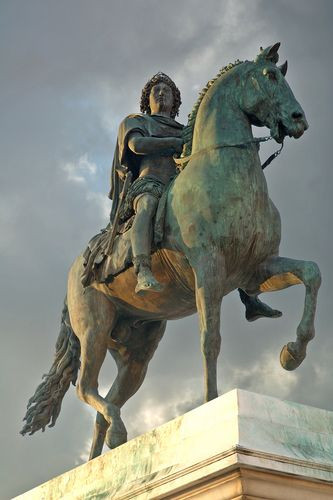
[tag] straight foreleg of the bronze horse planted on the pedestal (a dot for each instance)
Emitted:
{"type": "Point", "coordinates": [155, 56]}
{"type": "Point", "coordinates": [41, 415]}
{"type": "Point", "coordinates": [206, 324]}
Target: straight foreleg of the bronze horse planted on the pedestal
{"type": "Point", "coordinates": [209, 270]}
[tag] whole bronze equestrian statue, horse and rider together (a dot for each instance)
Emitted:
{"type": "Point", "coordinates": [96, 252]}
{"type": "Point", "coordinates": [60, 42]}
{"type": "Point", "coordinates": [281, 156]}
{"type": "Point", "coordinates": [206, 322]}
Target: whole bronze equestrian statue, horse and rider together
{"type": "Point", "coordinates": [191, 221]}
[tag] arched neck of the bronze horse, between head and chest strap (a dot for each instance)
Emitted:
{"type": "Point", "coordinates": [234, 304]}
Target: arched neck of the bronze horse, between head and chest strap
{"type": "Point", "coordinates": [220, 119]}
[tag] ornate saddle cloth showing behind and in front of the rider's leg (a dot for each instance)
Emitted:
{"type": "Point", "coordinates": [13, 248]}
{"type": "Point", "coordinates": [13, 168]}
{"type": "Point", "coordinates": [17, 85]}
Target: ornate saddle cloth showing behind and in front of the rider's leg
{"type": "Point", "coordinates": [103, 268]}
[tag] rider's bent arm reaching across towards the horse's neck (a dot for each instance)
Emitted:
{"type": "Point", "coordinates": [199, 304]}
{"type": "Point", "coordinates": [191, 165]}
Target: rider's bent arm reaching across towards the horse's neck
{"type": "Point", "coordinates": [141, 145]}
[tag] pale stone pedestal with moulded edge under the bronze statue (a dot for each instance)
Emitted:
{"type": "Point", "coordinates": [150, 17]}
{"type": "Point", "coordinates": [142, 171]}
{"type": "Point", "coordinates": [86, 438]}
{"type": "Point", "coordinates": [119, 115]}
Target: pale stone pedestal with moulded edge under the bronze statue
{"type": "Point", "coordinates": [241, 445]}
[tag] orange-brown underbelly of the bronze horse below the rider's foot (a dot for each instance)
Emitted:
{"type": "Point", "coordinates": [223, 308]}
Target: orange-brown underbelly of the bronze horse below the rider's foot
{"type": "Point", "coordinates": [176, 300]}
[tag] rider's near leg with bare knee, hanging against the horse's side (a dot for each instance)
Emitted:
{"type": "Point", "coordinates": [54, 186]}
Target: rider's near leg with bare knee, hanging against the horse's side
{"type": "Point", "coordinates": [141, 235]}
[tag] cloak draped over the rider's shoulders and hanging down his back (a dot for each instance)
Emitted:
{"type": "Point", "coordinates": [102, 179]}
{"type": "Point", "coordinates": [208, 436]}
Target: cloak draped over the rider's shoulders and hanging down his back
{"type": "Point", "coordinates": [147, 126]}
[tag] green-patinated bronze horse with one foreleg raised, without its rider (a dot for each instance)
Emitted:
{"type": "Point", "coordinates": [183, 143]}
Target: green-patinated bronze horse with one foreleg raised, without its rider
{"type": "Point", "coordinates": [222, 232]}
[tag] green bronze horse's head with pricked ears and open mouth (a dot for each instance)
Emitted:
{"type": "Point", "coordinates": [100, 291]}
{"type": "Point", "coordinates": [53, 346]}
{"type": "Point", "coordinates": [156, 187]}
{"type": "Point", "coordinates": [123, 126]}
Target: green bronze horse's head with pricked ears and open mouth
{"type": "Point", "coordinates": [268, 100]}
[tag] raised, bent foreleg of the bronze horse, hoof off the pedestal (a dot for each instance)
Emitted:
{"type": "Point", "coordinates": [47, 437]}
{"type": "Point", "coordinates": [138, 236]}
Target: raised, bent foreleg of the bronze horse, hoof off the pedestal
{"type": "Point", "coordinates": [277, 273]}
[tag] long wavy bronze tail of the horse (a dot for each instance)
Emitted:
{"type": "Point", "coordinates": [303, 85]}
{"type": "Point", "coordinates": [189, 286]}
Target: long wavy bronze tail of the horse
{"type": "Point", "coordinates": [45, 404]}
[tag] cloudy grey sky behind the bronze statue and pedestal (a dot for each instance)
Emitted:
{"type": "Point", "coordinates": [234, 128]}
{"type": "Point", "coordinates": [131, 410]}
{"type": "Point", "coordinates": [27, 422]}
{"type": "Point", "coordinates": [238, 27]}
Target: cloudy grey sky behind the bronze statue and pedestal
{"type": "Point", "coordinates": [71, 70]}
